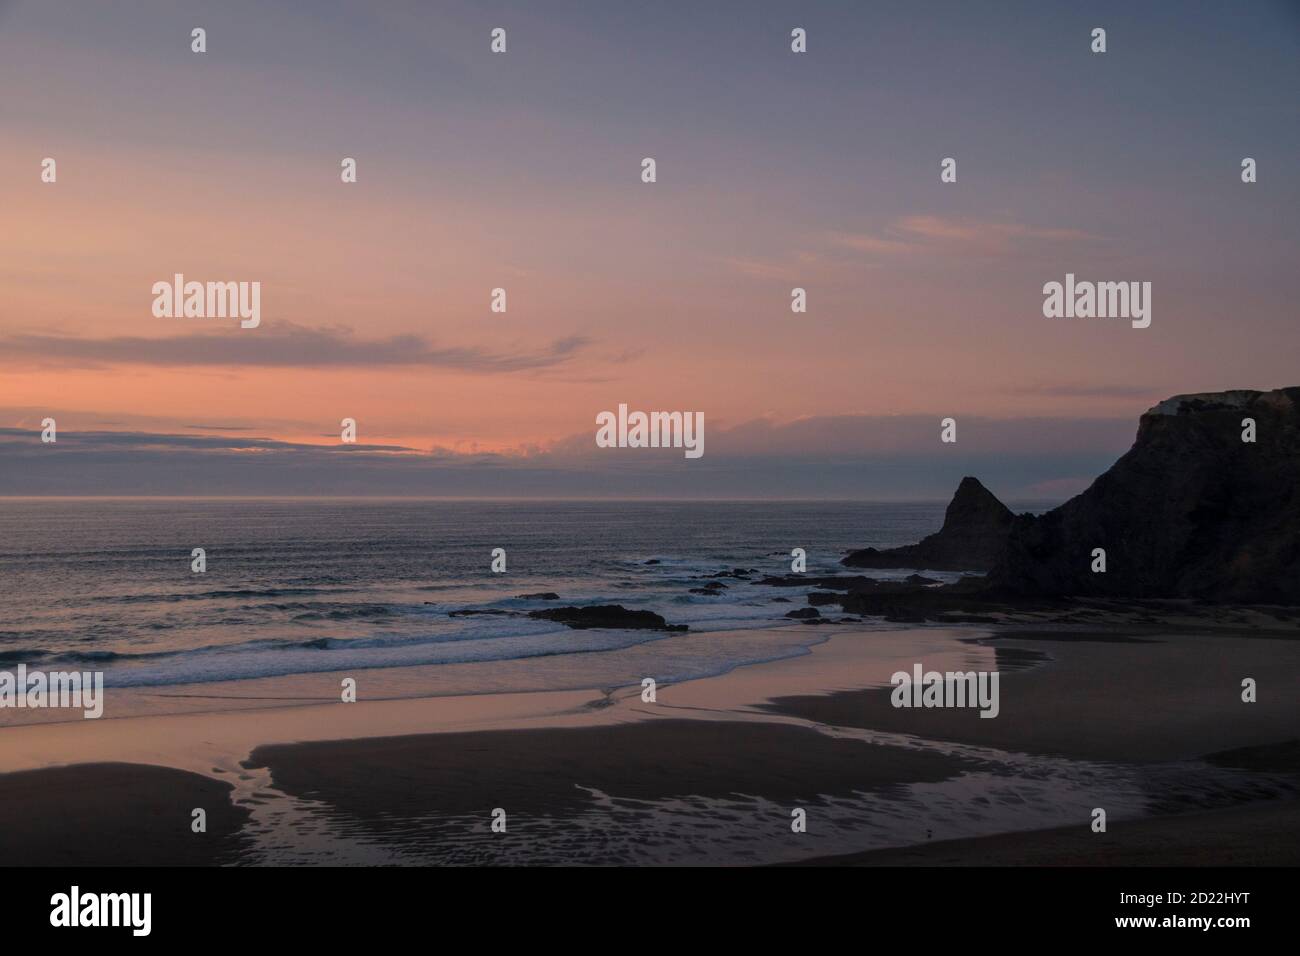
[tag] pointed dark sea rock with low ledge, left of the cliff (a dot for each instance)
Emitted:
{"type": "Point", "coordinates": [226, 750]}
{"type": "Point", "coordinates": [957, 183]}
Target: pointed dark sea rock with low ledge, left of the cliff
{"type": "Point", "coordinates": [974, 534]}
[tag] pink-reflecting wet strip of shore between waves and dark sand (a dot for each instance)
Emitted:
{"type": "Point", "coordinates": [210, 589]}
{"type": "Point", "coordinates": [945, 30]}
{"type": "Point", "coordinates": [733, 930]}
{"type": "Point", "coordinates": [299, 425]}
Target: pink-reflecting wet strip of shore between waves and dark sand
{"type": "Point", "coordinates": [232, 719]}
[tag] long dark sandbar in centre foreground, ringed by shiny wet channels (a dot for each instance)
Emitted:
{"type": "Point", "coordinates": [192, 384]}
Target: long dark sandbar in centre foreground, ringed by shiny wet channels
{"type": "Point", "coordinates": [549, 772]}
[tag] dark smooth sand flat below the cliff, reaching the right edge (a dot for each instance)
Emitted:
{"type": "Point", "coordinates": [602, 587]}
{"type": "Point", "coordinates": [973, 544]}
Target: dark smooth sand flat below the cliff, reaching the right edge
{"type": "Point", "coordinates": [1175, 698]}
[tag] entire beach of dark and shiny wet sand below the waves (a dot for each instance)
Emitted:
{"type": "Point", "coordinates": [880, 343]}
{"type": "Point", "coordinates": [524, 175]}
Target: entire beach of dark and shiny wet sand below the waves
{"type": "Point", "coordinates": [288, 773]}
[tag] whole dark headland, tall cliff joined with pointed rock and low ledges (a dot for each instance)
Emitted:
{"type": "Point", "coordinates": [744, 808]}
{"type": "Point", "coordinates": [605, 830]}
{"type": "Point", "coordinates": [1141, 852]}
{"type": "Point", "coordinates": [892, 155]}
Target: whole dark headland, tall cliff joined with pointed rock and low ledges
{"type": "Point", "coordinates": [1204, 509]}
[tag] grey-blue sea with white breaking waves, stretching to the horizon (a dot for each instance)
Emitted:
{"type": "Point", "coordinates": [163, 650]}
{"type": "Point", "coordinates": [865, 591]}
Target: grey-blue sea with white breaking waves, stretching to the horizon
{"type": "Point", "coordinates": [310, 586]}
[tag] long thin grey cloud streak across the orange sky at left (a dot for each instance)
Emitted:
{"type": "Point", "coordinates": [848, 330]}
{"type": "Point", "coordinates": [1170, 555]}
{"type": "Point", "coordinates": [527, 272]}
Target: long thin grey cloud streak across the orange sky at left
{"type": "Point", "coordinates": [284, 345]}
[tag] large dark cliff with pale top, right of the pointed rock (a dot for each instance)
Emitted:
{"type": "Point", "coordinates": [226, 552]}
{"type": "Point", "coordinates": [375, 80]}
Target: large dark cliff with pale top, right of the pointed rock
{"type": "Point", "coordinates": [1190, 512]}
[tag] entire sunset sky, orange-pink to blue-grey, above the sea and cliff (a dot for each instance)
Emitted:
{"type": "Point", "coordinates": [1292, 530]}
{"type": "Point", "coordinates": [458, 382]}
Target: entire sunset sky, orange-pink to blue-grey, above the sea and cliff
{"type": "Point", "coordinates": [523, 171]}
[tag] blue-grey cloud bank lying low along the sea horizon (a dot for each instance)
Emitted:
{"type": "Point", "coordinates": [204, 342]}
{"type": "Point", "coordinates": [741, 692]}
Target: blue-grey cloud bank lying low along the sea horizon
{"type": "Point", "coordinates": [824, 457]}
